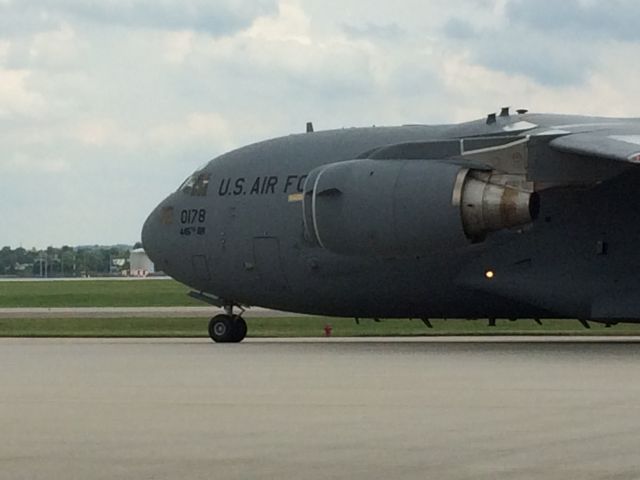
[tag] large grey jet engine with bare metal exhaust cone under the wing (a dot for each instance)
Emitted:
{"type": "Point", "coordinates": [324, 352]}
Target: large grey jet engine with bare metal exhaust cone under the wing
{"type": "Point", "coordinates": [406, 207]}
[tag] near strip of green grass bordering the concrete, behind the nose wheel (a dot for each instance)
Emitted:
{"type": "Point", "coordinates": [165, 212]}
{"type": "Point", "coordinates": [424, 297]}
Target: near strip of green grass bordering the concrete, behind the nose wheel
{"type": "Point", "coordinates": [289, 327]}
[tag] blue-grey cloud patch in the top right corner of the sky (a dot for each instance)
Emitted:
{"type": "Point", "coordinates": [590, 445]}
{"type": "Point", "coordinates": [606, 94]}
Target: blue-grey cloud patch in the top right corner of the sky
{"type": "Point", "coordinates": [557, 44]}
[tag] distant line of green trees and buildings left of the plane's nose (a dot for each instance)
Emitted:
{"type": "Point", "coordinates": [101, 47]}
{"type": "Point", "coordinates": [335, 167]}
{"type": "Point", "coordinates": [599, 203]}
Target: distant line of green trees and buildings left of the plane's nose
{"type": "Point", "coordinates": [65, 261]}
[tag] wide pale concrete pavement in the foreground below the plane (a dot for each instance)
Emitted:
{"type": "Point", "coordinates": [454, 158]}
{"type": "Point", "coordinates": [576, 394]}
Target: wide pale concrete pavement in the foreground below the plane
{"type": "Point", "coordinates": [321, 409]}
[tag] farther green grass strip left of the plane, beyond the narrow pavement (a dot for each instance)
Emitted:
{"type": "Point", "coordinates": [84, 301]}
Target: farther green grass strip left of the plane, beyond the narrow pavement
{"type": "Point", "coordinates": [95, 293]}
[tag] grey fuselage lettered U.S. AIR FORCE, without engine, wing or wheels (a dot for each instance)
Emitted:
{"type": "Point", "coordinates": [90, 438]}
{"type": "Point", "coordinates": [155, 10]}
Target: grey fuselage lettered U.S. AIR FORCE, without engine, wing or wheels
{"type": "Point", "coordinates": [235, 230]}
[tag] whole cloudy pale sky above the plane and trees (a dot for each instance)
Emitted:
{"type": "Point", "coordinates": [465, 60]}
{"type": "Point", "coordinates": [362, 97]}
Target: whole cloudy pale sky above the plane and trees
{"type": "Point", "coordinates": [105, 107]}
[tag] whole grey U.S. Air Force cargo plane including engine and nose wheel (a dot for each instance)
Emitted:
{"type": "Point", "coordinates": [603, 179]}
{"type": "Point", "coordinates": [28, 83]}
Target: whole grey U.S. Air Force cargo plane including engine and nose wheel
{"type": "Point", "coordinates": [517, 215]}
